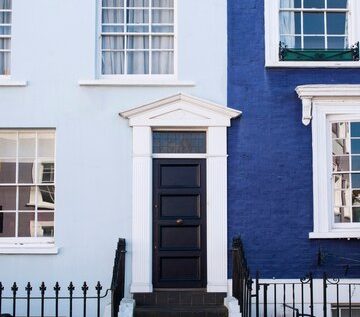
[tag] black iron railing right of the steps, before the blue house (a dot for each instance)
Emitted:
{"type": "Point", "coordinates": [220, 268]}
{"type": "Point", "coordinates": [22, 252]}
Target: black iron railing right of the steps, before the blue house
{"type": "Point", "coordinates": [308, 297]}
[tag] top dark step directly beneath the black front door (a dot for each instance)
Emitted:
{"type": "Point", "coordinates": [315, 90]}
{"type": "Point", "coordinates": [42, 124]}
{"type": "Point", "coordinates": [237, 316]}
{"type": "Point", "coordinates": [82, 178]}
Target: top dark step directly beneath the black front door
{"type": "Point", "coordinates": [179, 298]}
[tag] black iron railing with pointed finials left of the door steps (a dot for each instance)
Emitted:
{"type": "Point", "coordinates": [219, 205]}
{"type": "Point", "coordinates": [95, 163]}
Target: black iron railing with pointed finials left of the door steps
{"type": "Point", "coordinates": [72, 301]}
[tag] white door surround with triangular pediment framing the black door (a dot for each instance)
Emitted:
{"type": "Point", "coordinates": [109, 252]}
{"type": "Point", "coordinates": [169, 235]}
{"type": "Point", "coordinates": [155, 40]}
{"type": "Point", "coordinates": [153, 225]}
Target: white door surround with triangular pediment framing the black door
{"type": "Point", "coordinates": [176, 112]}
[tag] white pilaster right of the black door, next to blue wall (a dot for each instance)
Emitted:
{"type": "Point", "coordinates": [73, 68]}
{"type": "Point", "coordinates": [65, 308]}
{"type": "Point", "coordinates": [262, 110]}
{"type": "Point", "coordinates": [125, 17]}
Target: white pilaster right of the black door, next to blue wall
{"type": "Point", "coordinates": [217, 210]}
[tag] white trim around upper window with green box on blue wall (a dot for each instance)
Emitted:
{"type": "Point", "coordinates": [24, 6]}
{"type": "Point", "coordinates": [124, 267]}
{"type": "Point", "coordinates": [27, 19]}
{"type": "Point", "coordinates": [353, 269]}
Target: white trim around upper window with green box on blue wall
{"type": "Point", "coordinates": [272, 38]}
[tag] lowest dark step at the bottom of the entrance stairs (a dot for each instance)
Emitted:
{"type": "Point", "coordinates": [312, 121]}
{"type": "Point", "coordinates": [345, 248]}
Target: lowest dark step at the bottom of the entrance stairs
{"type": "Point", "coordinates": [178, 311]}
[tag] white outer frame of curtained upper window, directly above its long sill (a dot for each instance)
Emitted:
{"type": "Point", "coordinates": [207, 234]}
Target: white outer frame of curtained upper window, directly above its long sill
{"type": "Point", "coordinates": [133, 78]}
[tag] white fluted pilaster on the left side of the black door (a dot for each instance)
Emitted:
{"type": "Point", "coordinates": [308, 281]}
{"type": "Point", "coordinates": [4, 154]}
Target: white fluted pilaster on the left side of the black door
{"type": "Point", "coordinates": [142, 211]}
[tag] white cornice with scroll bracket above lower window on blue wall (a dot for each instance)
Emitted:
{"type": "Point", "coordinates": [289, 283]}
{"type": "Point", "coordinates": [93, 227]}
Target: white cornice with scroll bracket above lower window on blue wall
{"type": "Point", "coordinates": [309, 93]}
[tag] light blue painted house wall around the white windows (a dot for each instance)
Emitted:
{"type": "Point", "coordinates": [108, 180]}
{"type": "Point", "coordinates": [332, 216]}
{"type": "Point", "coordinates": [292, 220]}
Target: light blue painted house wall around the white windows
{"type": "Point", "coordinates": [54, 47]}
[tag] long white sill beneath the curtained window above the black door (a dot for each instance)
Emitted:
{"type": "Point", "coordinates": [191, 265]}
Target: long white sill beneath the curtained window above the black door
{"type": "Point", "coordinates": [136, 82]}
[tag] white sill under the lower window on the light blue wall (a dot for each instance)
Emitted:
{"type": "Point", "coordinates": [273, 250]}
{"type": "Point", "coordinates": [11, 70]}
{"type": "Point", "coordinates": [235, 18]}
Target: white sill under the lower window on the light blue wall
{"type": "Point", "coordinates": [28, 249]}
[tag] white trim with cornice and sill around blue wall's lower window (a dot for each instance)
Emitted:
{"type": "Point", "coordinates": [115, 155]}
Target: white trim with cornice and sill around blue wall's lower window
{"type": "Point", "coordinates": [321, 104]}
